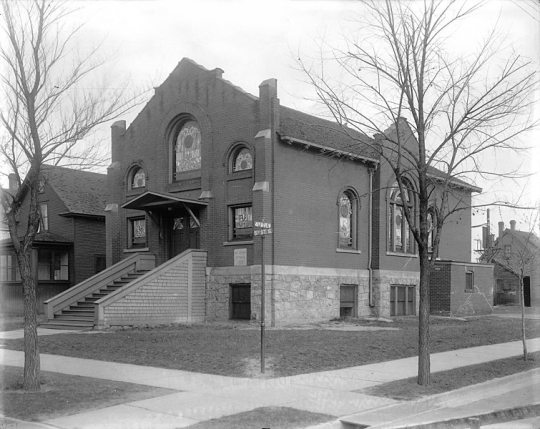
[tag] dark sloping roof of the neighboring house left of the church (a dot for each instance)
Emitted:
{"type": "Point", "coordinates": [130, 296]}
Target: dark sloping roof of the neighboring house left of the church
{"type": "Point", "coordinates": [84, 193]}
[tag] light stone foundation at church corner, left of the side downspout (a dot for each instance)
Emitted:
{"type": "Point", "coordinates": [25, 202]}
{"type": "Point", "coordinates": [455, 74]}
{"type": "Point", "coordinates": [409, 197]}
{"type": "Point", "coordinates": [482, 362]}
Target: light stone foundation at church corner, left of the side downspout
{"type": "Point", "coordinates": [293, 294]}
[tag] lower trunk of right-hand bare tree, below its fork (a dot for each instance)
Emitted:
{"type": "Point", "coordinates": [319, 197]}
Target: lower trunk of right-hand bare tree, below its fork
{"type": "Point", "coordinates": [424, 366]}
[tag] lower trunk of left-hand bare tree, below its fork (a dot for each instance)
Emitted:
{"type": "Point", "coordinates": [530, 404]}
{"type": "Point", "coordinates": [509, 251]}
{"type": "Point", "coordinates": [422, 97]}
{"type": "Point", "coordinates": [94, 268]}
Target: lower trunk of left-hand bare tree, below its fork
{"type": "Point", "coordinates": [31, 349]}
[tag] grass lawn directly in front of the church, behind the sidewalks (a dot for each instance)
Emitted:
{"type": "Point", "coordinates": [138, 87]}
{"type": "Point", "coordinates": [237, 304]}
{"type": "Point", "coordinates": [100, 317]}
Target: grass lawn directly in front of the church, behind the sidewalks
{"type": "Point", "coordinates": [228, 349]}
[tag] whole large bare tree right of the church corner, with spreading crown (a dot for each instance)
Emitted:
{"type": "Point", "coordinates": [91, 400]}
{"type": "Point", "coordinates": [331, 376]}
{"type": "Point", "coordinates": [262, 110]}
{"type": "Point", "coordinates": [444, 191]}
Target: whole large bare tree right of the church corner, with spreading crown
{"type": "Point", "coordinates": [461, 108]}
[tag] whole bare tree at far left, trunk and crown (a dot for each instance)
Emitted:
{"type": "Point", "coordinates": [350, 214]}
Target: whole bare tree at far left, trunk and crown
{"type": "Point", "coordinates": [50, 107]}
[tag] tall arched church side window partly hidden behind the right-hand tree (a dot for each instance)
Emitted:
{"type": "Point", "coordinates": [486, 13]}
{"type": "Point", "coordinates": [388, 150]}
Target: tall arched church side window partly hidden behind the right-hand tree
{"type": "Point", "coordinates": [400, 239]}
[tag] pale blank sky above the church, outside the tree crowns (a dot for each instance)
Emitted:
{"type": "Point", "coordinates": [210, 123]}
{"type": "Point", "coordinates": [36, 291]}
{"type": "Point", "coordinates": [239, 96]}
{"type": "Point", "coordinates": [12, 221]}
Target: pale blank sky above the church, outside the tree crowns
{"type": "Point", "coordinates": [260, 39]}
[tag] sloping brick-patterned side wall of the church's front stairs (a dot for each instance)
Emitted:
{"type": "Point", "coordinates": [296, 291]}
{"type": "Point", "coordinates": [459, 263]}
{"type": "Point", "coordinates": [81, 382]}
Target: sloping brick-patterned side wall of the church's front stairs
{"type": "Point", "coordinates": [172, 293]}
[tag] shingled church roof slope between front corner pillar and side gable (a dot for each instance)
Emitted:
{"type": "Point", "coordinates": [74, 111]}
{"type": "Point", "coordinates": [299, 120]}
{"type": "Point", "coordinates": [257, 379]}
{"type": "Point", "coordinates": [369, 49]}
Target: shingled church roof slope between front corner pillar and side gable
{"type": "Point", "coordinates": [299, 126]}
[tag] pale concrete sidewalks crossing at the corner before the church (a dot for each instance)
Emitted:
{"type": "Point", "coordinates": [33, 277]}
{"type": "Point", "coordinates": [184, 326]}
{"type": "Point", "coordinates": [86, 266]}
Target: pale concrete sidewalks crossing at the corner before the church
{"type": "Point", "coordinates": [203, 397]}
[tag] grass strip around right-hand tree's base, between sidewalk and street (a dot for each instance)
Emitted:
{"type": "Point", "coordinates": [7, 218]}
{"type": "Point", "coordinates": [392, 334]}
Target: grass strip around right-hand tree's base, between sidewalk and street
{"type": "Point", "coordinates": [445, 381]}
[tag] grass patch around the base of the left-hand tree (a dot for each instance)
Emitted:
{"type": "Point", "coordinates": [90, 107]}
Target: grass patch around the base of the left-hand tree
{"type": "Point", "coordinates": [62, 395]}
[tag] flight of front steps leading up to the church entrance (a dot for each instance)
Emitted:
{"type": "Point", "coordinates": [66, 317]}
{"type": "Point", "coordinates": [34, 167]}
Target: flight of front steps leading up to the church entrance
{"type": "Point", "coordinates": [81, 315]}
